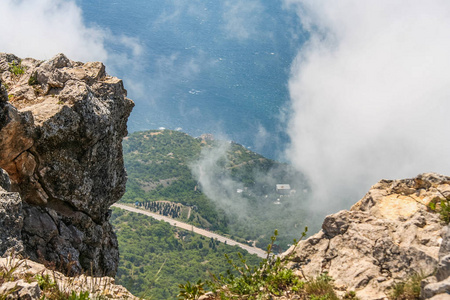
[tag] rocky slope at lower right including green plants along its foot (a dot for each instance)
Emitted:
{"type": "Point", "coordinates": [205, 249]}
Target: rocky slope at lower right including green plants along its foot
{"type": "Point", "coordinates": [392, 244]}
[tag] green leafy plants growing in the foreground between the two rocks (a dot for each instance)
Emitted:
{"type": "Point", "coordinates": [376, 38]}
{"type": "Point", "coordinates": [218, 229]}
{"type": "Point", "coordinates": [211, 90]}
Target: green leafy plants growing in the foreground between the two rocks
{"type": "Point", "coordinates": [271, 279]}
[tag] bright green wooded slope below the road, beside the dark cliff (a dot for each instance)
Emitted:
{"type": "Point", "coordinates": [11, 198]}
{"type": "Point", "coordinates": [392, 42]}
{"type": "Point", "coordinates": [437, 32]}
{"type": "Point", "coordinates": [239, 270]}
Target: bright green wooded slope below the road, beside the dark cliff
{"type": "Point", "coordinates": [156, 257]}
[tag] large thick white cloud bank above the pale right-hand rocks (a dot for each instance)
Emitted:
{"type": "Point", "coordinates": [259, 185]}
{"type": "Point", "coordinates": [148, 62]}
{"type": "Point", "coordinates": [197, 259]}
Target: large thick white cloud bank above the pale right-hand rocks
{"type": "Point", "coordinates": [370, 95]}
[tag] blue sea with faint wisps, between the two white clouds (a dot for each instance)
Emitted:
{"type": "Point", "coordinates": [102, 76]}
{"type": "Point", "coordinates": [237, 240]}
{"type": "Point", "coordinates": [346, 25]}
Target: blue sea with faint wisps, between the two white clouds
{"type": "Point", "coordinates": [209, 66]}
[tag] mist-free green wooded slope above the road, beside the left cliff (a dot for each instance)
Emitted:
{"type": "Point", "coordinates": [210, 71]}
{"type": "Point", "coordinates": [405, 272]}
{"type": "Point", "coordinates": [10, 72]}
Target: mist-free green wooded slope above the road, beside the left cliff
{"type": "Point", "coordinates": [157, 164]}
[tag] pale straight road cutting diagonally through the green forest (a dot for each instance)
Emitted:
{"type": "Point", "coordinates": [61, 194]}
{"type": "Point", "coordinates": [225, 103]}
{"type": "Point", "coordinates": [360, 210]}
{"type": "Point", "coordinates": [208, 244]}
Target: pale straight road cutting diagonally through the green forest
{"type": "Point", "coordinates": [252, 250]}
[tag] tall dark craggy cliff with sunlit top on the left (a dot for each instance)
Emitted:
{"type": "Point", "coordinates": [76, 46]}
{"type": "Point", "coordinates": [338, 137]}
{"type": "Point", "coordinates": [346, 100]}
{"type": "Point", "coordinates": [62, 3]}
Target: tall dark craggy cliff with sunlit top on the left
{"type": "Point", "coordinates": [61, 129]}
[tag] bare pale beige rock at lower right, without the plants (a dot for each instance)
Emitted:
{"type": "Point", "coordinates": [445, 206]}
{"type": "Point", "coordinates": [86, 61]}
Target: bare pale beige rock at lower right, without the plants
{"type": "Point", "coordinates": [386, 237]}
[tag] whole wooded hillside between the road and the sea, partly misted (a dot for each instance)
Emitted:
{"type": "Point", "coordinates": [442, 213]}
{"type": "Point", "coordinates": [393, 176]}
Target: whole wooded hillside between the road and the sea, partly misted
{"type": "Point", "coordinates": [239, 199]}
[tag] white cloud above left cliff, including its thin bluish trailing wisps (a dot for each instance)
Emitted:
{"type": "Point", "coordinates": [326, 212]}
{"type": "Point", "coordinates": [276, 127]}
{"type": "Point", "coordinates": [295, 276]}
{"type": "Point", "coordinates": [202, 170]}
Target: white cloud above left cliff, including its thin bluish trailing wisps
{"type": "Point", "coordinates": [41, 29]}
